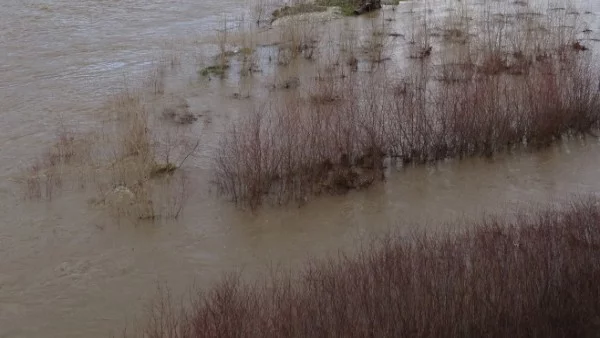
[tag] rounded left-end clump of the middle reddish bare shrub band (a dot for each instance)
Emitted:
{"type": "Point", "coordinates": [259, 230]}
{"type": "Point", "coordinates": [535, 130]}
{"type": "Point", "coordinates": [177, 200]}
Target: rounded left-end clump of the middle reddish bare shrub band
{"type": "Point", "coordinates": [290, 150]}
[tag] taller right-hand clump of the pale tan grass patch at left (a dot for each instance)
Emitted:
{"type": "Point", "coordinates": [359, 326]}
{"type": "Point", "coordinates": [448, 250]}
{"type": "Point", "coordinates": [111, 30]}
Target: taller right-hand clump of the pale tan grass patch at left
{"type": "Point", "coordinates": [135, 178]}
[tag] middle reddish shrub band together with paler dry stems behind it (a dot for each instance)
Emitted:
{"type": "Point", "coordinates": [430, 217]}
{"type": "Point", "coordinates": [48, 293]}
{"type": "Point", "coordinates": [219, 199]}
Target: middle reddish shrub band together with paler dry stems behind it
{"type": "Point", "coordinates": [507, 79]}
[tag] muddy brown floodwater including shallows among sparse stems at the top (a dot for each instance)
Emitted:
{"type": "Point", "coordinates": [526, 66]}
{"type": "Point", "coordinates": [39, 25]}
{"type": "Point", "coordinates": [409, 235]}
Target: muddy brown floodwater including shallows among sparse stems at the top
{"type": "Point", "coordinates": [69, 268]}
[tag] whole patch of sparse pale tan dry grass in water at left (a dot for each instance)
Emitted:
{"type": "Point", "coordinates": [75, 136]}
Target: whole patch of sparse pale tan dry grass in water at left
{"type": "Point", "coordinates": [131, 165]}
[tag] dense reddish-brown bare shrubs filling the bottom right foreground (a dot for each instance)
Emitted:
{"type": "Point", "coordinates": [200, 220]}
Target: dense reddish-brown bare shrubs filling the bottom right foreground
{"type": "Point", "coordinates": [535, 276]}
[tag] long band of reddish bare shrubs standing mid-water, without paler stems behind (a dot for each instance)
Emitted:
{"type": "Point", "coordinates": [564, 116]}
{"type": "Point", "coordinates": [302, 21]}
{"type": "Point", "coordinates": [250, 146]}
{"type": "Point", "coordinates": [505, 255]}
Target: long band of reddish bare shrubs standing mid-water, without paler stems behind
{"type": "Point", "coordinates": [289, 150]}
